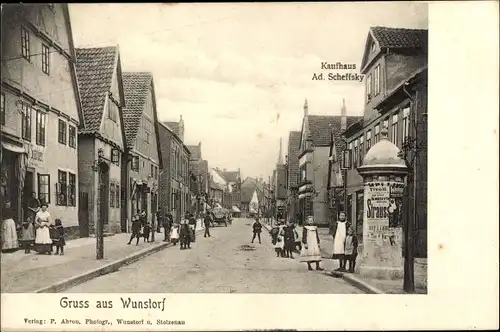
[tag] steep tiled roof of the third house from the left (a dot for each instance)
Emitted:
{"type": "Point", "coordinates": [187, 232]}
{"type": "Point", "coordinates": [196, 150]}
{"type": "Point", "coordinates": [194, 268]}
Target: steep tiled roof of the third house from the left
{"type": "Point", "coordinates": [137, 86]}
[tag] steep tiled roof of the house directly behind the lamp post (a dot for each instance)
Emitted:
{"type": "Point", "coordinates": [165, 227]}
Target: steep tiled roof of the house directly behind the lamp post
{"type": "Point", "coordinates": [94, 70]}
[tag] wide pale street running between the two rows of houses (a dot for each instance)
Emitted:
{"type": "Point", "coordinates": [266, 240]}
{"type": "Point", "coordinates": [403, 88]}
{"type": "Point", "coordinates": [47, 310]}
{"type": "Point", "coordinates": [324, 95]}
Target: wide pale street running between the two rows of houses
{"type": "Point", "coordinates": [220, 264]}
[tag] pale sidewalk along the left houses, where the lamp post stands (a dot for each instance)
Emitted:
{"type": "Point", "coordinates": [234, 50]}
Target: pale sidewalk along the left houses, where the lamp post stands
{"type": "Point", "coordinates": [25, 273]}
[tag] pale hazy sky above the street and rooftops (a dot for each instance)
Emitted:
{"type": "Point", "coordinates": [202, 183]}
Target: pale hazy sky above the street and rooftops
{"type": "Point", "coordinates": [239, 73]}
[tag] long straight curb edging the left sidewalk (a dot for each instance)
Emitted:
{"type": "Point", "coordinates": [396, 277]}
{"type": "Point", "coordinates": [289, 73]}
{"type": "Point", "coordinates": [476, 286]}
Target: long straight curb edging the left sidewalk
{"type": "Point", "coordinates": [103, 270]}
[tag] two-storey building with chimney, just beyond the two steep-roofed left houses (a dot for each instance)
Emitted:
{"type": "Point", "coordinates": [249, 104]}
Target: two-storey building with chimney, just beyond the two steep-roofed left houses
{"type": "Point", "coordinates": [175, 180]}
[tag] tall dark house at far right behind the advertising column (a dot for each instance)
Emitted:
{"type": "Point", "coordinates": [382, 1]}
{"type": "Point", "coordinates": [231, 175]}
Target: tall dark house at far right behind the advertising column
{"type": "Point", "coordinates": [395, 64]}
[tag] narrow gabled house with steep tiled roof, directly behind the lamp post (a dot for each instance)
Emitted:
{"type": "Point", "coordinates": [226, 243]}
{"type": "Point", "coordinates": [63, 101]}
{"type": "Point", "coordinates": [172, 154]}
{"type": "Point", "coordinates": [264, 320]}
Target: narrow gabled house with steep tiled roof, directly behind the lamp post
{"type": "Point", "coordinates": [101, 141]}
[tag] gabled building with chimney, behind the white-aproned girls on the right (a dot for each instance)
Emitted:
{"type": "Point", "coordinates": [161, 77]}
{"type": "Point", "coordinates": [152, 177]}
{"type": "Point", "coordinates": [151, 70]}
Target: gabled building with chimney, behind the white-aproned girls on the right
{"type": "Point", "coordinates": [313, 164]}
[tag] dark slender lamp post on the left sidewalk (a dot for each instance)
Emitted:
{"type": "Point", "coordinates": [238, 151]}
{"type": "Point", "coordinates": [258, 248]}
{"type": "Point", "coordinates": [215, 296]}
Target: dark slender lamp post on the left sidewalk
{"type": "Point", "coordinates": [100, 166]}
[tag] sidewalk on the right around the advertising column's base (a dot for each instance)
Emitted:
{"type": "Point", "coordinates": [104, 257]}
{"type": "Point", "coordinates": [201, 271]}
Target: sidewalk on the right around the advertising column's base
{"type": "Point", "coordinates": [370, 285]}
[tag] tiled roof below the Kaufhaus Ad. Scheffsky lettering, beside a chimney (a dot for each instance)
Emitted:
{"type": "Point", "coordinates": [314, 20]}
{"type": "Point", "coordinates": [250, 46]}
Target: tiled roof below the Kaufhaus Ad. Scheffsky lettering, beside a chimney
{"type": "Point", "coordinates": [320, 130]}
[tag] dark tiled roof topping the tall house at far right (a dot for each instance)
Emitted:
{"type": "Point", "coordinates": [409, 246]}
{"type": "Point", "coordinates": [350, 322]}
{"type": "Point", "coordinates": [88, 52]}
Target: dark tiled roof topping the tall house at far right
{"type": "Point", "coordinates": [400, 38]}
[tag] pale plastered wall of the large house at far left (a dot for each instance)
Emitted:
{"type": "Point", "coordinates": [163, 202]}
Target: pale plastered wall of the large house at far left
{"type": "Point", "coordinates": [51, 93]}
